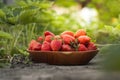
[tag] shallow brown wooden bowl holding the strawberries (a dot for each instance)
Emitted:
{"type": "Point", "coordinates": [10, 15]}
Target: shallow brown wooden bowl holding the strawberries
{"type": "Point", "coordinates": [63, 57]}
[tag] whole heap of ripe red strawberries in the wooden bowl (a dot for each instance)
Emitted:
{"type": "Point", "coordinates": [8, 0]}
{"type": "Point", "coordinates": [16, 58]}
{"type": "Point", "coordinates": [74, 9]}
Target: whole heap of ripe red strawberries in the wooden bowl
{"type": "Point", "coordinates": [66, 41]}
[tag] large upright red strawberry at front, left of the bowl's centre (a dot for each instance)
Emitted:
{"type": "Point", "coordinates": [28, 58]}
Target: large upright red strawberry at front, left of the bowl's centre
{"type": "Point", "coordinates": [56, 45]}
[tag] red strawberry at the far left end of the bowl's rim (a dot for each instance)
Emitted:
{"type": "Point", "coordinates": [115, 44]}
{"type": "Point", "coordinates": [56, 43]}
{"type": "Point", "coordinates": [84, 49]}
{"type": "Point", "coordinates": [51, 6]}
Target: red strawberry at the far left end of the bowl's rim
{"type": "Point", "coordinates": [34, 45]}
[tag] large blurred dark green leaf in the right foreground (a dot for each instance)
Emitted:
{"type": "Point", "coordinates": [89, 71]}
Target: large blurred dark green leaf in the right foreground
{"type": "Point", "coordinates": [111, 57]}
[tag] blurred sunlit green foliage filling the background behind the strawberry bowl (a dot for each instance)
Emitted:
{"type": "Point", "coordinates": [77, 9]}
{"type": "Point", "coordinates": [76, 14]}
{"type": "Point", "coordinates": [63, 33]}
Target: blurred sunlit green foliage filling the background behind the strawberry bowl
{"type": "Point", "coordinates": [24, 20]}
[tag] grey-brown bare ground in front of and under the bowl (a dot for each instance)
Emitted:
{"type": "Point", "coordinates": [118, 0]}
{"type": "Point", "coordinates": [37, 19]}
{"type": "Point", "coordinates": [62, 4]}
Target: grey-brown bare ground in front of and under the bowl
{"type": "Point", "coordinates": [92, 71]}
